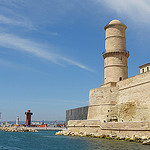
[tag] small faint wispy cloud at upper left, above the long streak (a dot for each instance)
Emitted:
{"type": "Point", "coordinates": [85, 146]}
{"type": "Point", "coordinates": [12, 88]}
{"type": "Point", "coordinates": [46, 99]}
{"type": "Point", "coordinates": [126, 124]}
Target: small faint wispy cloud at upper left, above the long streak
{"type": "Point", "coordinates": [10, 21]}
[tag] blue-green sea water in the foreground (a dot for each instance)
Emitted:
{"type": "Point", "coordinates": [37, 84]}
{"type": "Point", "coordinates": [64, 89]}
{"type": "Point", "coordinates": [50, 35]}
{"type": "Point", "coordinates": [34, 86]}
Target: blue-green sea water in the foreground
{"type": "Point", "coordinates": [47, 140]}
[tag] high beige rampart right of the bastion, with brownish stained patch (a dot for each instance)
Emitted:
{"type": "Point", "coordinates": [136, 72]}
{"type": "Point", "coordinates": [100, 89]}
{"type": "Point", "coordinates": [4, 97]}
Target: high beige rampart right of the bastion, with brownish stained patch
{"type": "Point", "coordinates": [134, 98]}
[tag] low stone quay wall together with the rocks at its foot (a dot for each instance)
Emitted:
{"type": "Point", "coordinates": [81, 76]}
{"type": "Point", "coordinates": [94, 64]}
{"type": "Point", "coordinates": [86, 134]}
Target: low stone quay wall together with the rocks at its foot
{"type": "Point", "coordinates": [128, 131]}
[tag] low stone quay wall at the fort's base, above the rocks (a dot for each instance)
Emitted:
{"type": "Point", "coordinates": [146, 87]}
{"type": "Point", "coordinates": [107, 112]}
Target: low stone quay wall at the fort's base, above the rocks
{"type": "Point", "coordinates": [122, 129]}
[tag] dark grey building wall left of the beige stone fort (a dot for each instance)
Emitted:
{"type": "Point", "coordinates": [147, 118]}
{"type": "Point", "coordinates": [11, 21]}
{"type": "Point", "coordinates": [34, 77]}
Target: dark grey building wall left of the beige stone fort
{"type": "Point", "coordinates": [77, 114]}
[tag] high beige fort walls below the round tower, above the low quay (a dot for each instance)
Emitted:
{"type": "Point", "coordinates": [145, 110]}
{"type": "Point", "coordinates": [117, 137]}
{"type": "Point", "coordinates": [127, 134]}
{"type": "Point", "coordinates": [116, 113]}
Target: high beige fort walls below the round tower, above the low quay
{"type": "Point", "coordinates": [128, 101]}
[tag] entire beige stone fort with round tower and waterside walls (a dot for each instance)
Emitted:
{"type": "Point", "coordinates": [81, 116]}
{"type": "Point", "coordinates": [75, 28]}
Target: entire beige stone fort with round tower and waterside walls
{"type": "Point", "coordinates": [121, 106]}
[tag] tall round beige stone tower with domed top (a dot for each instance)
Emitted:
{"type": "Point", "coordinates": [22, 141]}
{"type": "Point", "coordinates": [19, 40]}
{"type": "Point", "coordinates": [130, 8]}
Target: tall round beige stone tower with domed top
{"type": "Point", "coordinates": [115, 55]}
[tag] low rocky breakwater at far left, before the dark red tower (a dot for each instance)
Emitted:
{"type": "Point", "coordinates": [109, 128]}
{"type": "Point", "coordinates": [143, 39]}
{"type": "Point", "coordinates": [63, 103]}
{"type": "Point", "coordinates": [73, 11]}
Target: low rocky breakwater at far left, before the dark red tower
{"type": "Point", "coordinates": [17, 129]}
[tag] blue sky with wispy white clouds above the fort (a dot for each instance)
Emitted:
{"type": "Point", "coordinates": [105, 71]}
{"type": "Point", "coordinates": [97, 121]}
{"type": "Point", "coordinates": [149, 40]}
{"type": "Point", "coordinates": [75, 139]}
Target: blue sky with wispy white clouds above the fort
{"type": "Point", "coordinates": [51, 52]}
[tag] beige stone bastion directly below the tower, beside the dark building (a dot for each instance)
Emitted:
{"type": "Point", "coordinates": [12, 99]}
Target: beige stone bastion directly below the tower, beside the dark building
{"type": "Point", "coordinates": [100, 102]}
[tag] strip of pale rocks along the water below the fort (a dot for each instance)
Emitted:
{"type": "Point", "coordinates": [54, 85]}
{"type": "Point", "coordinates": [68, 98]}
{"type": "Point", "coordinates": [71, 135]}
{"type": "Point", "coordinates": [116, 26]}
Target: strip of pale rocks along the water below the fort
{"type": "Point", "coordinates": [135, 138]}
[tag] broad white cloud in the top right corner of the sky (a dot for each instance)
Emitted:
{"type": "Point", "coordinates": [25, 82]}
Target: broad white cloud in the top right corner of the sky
{"type": "Point", "coordinates": [137, 10]}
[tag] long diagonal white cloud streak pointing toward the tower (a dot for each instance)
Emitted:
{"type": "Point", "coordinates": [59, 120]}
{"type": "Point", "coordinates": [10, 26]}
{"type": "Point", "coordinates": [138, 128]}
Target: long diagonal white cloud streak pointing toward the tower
{"type": "Point", "coordinates": [20, 44]}
